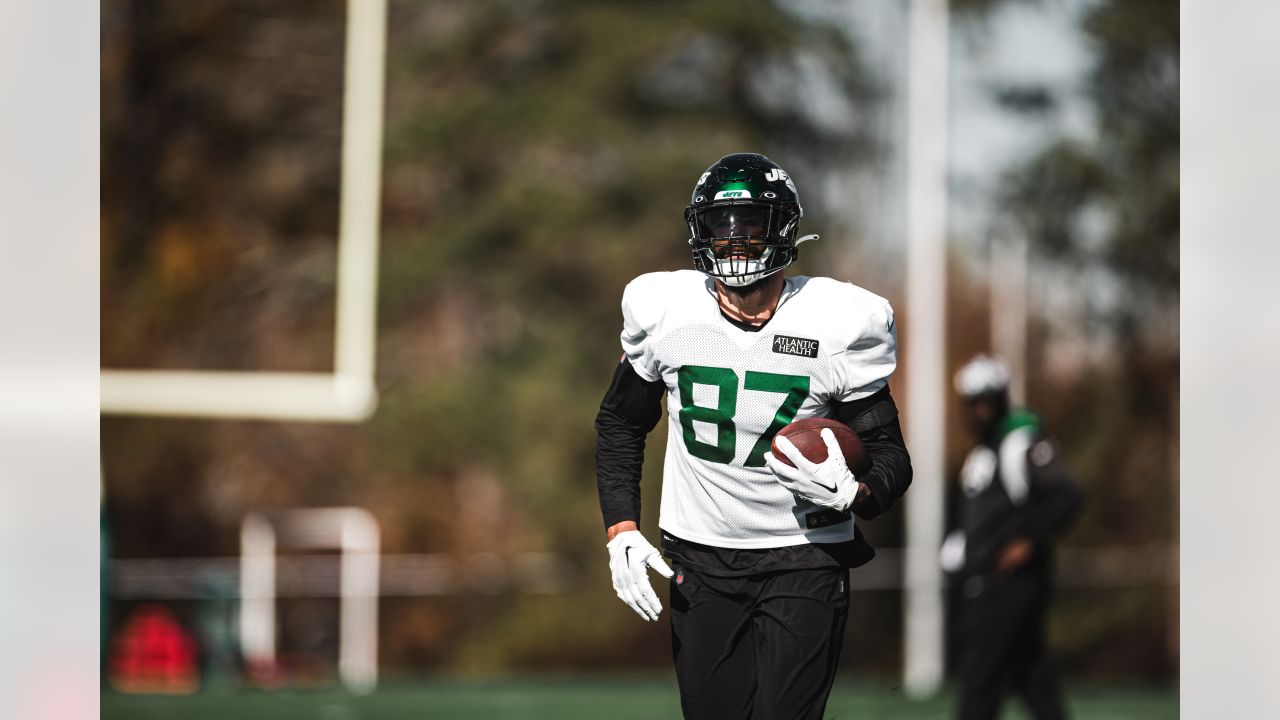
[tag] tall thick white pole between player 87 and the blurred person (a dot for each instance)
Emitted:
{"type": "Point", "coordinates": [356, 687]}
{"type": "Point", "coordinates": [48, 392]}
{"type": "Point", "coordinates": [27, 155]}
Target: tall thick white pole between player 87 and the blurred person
{"type": "Point", "coordinates": [926, 340]}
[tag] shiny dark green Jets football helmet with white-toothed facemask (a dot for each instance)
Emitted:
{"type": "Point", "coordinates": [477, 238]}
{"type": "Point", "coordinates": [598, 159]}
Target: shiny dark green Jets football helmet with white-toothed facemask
{"type": "Point", "coordinates": [744, 220]}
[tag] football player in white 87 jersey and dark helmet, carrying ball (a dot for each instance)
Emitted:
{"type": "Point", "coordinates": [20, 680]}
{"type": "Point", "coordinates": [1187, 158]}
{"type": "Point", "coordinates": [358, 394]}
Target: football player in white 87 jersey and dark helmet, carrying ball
{"type": "Point", "coordinates": [760, 550]}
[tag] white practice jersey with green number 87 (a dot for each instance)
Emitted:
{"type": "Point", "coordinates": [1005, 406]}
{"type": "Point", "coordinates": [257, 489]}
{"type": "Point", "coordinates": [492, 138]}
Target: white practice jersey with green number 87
{"type": "Point", "coordinates": [729, 391]}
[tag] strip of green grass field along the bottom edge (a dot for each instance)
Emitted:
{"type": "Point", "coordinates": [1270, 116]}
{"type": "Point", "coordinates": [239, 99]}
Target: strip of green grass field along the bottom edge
{"type": "Point", "coordinates": [574, 700]}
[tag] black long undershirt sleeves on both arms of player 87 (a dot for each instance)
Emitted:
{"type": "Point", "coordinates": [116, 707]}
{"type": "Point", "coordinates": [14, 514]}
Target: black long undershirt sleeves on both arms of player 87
{"type": "Point", "coordinates": [633, 407]}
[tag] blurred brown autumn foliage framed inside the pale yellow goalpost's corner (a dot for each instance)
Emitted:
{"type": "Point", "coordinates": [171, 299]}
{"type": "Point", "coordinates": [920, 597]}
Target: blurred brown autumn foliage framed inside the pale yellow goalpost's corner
{"type": "Point", "coordinates": [221, 131]}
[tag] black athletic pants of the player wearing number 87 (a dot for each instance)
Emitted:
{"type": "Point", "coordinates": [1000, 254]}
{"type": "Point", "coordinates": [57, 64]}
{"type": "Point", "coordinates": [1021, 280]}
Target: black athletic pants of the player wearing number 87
{"type": "Point", "coordinates": [760, 646]}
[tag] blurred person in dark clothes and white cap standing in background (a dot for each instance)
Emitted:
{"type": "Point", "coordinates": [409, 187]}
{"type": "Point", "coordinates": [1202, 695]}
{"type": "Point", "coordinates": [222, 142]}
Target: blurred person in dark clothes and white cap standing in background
{"type": "Point", "coordinates": [1017, 498]}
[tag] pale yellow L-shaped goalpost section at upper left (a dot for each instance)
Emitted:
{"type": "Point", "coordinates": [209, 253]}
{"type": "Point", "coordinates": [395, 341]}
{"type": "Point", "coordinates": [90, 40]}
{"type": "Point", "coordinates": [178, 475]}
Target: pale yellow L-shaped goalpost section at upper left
{"type": "Point", "coordinates": [349, 394]}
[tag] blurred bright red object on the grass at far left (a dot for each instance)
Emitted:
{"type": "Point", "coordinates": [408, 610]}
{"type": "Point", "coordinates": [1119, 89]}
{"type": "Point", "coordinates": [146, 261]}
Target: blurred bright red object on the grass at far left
{"type": "Point", "coordinates": [154, 654]}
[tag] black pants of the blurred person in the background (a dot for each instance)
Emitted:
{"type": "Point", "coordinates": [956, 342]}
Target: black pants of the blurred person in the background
{"type": "Point", "coordinates": [1005, 649]}
